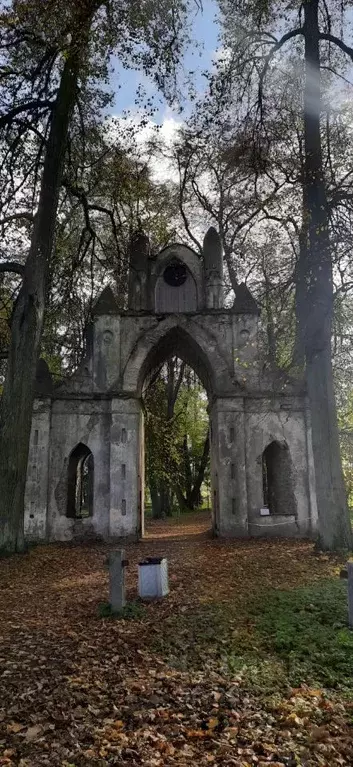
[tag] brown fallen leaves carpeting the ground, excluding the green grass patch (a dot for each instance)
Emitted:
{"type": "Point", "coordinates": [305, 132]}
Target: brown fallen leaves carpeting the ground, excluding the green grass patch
{"type": "Point", "coordinates": [80, 691]}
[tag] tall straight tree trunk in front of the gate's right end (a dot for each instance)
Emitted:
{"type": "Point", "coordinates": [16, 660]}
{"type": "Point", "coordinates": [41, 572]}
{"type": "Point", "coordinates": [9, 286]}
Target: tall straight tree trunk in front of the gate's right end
{"type": "Point", "coordinates": [334, 524]}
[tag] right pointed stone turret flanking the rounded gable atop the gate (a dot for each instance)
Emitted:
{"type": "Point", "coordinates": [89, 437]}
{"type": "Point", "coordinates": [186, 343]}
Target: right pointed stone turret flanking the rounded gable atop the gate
{"type": "Point", "coordinates": [213, 265]}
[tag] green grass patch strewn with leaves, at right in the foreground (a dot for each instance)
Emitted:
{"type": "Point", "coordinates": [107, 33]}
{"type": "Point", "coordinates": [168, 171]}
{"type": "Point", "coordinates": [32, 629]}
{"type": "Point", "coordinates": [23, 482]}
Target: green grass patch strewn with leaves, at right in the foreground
{"type": "Point", "coordinates": [275, 640]}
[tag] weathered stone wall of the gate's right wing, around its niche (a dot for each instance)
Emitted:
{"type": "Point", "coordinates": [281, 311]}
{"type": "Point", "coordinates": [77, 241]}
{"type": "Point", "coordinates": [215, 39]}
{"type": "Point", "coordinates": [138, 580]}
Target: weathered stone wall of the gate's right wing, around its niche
{"type": "Point", "coordinates": [241, 429]}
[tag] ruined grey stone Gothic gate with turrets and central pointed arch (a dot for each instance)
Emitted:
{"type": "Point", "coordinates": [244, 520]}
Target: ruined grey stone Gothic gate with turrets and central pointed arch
{"type": "Point", "coordinates": [86, 462]}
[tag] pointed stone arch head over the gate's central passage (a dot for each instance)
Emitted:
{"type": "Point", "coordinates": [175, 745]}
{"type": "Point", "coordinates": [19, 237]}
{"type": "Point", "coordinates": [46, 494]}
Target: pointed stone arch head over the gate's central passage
{"type": "Point", "coordinates": [189, 341]}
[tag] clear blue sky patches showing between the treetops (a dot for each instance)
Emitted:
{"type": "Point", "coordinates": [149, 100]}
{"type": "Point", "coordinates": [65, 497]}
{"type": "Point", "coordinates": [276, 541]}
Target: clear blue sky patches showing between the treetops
{"type": "Point", "coordinates": [205, 30]}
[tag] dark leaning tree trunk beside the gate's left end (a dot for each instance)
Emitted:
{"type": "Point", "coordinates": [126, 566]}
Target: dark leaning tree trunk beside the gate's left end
{"type": "Point", "coordinates": [27, 322]}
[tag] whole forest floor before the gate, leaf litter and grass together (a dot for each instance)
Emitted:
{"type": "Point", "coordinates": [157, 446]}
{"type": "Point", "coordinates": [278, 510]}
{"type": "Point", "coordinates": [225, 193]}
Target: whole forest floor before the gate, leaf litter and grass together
{"type": "Point", "coordinates": [247, 662]}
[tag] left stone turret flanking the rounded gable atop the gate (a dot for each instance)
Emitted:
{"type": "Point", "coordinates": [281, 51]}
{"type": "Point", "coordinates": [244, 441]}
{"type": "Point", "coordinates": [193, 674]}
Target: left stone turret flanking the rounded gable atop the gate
{"type": "Point", "coordinates": [138, 272]}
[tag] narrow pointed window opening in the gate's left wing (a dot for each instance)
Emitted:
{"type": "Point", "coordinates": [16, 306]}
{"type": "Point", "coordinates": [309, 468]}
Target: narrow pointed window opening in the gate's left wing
{"type": "Point", "coordinates": [80, 483]}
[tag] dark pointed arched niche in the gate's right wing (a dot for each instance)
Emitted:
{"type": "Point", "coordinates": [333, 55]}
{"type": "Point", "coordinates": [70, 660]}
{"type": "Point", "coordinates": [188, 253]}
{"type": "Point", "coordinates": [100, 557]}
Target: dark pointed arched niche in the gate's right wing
{"type": "Point", "coordinates": [277, 479]}
